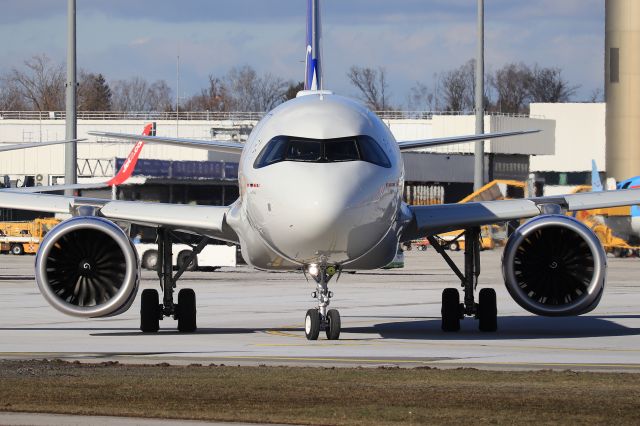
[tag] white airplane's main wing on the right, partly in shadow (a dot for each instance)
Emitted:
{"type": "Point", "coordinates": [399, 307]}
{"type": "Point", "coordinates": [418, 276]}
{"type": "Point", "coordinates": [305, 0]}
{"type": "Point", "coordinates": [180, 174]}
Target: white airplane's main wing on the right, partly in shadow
{"type": "Point", "coordinates": [435, 219]}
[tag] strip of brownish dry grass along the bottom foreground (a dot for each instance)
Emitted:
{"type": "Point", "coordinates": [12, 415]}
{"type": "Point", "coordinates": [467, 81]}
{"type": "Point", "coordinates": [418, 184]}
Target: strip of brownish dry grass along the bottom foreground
{"type": "Point", "coordinates": [350, 396]}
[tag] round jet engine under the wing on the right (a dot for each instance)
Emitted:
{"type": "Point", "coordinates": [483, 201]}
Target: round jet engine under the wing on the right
{"type": "Point", "coordinates": [554, 265]}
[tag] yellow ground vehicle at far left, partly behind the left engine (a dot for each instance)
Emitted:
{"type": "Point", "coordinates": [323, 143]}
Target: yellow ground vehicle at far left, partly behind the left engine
{"type": "Point", "coordinates": [25, 236]}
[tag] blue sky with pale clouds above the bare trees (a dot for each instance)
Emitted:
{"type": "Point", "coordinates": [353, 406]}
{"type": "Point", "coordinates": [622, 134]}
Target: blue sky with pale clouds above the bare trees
{"type": "Point", "coordinates": [411, 39]}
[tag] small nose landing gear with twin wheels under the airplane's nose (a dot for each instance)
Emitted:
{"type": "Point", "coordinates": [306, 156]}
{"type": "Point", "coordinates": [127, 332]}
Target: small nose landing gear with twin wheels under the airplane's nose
{"type": "Point", "coordinates": [318, 319]}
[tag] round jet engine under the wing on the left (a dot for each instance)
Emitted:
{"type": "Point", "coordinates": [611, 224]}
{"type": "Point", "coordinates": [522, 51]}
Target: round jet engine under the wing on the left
{"type": "Point", "coordinates": [87, 267]}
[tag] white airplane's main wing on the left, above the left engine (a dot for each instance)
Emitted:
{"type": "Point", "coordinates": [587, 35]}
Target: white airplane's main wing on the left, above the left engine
{"type": "Point", "coordinates": [206, 220]}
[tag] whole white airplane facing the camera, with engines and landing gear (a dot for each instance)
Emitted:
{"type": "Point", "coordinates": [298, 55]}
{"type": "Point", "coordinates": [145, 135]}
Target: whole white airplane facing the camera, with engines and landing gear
{"type": "Point", "coordinates": [321, 181]}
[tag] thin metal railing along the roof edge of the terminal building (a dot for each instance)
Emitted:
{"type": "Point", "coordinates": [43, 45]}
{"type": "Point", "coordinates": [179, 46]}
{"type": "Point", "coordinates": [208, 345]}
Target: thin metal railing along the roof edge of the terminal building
{"type": "Point", "coordinates": [212, 115]}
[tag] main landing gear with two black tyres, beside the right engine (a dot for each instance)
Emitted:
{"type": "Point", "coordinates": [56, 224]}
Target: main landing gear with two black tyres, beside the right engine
{"type": "Point", "coordinates": [485, 310]}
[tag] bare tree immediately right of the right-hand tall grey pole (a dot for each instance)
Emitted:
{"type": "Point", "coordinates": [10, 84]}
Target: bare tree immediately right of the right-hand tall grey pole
{"type": "Point", "coordinates": [512, 85]}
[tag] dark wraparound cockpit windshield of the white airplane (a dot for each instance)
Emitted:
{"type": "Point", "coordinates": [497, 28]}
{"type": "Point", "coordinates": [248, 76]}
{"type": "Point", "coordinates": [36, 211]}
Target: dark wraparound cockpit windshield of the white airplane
{"type": "Point", "coordinates": [289, 148]}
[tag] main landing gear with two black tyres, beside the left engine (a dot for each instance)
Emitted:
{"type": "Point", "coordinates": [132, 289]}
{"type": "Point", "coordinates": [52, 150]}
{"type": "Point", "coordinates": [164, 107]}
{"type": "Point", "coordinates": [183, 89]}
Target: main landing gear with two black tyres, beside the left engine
{"type": "Point", "coordinates": [151, 310]}
